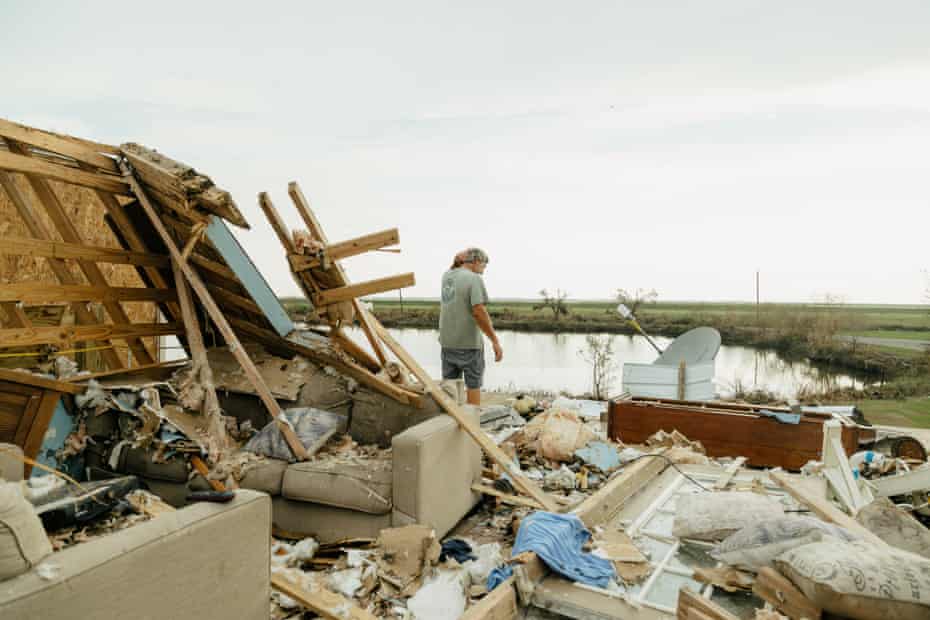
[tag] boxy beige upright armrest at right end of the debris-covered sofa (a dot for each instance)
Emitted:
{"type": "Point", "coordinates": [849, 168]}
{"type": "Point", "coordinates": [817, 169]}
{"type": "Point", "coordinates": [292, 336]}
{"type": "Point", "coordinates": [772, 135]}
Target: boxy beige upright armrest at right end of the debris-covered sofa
{"type": "Point", "coordinates": [435, 465]}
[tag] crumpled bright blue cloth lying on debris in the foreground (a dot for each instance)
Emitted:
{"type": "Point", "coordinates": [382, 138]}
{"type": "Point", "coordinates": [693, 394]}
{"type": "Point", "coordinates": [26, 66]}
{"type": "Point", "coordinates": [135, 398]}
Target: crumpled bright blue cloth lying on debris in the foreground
{"type": "Point", "coordinates": [557, 540]}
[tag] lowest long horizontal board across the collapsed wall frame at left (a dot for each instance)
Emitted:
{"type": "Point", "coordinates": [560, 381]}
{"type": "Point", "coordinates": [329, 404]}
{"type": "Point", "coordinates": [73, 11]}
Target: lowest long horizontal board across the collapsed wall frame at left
{"type": "Point", "coordinates": [67, 335]}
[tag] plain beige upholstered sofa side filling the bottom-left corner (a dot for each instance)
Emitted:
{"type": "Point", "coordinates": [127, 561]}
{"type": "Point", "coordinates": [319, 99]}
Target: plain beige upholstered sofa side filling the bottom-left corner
{"type": "Point", "coordinates": [205, 561]}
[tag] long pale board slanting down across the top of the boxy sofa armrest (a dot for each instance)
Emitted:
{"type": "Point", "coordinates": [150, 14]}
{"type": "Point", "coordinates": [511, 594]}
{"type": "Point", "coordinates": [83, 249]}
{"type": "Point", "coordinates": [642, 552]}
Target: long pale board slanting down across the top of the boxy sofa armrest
{"type": "Point", "coordinates": [520, 481]}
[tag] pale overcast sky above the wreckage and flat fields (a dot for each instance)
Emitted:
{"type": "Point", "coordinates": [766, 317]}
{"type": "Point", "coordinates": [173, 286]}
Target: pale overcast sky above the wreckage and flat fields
{"type": "Point", "coordinates": [587, 146]}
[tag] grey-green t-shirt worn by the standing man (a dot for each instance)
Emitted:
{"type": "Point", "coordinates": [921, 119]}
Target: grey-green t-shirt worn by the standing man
{"type": "Point", "coordinates": [461, 289]}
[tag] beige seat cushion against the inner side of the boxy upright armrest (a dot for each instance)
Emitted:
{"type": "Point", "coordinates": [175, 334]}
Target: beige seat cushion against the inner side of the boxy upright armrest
{"type": "Point", "coordinates": [361, 484]}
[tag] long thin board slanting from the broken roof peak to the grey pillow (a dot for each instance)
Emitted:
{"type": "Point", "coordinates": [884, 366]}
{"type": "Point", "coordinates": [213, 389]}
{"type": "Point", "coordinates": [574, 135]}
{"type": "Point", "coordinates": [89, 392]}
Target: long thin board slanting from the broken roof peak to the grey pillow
{"type": "Point", "coordinates": [219, 319]}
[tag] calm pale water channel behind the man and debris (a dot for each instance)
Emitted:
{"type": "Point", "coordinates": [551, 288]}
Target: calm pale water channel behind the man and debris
{"type": "Point", "coordinates": [551, 362]}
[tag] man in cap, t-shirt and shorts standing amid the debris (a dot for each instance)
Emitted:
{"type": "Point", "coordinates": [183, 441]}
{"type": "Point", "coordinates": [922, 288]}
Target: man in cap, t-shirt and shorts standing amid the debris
{"type": "Point", "coordinates": [461, 316]}
